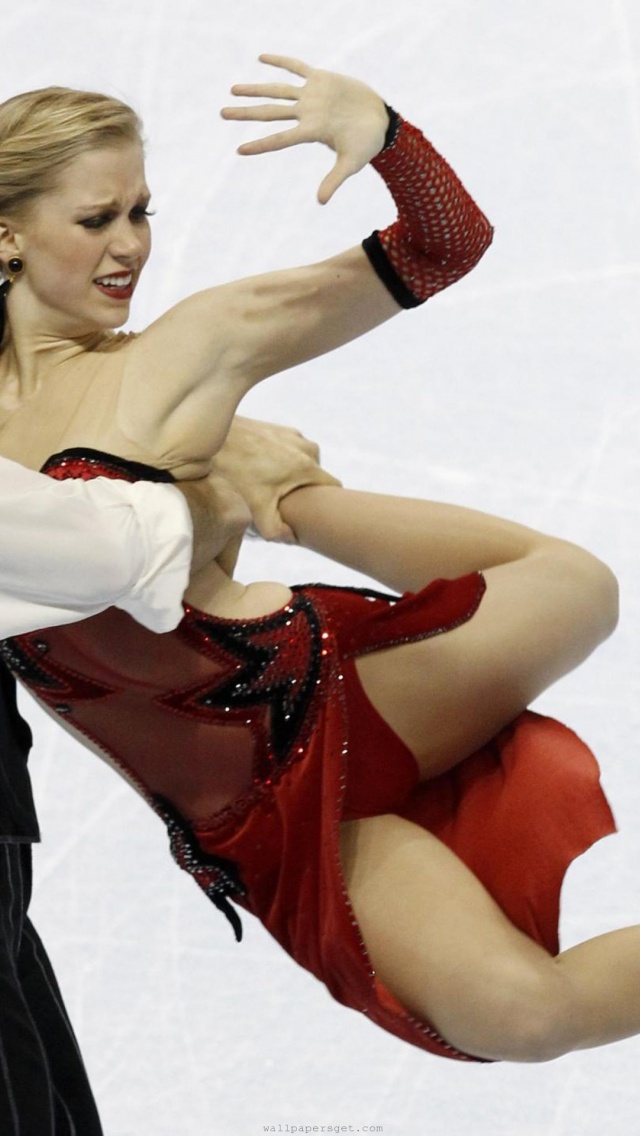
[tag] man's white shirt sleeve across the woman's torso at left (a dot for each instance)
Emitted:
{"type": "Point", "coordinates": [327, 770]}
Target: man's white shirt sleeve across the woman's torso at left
{"type": "Point", "coordinates": [71, 549]}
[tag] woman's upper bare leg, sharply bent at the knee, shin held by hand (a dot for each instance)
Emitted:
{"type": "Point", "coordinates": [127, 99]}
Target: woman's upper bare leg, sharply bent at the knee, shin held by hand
{"type": "Point", "coordinates": [548, 605]}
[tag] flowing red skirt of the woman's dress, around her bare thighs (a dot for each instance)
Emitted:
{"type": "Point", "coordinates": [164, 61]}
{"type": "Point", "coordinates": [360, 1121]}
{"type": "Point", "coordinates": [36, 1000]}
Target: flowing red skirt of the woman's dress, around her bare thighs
{"type": "Point", "coordinates": [517, 813]}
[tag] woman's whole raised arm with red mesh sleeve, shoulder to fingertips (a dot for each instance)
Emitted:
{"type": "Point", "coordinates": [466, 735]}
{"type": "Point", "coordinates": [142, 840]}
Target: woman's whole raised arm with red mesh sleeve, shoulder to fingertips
{"type": "Point", "coordinates": [211, 349]}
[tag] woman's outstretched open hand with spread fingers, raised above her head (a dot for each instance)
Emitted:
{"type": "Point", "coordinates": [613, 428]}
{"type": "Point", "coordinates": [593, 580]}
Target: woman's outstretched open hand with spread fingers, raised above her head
{"type": "Point", "coordinates": [343, 113]}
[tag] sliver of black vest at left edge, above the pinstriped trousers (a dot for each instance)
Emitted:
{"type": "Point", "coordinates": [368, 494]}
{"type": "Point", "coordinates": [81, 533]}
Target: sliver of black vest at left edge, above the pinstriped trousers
{"type": "Point", "coordinates": [18, 813]}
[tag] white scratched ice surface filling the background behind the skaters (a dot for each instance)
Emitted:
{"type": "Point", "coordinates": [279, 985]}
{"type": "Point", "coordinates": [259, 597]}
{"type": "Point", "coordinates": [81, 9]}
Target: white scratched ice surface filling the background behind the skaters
{"type": "Point", "coordinates": [516, 392]}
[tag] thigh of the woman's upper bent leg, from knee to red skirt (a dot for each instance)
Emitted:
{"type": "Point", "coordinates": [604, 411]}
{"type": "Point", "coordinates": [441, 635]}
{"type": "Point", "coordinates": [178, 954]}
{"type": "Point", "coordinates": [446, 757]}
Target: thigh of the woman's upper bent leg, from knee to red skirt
{"type": "Point", "coordinates": [447, 696]}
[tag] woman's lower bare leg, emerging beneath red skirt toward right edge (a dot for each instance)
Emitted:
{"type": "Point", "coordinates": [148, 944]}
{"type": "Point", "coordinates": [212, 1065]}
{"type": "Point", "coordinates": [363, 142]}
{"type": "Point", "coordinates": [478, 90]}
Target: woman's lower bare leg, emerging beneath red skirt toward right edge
{"type": "Point", "coordinates": [440, 943]}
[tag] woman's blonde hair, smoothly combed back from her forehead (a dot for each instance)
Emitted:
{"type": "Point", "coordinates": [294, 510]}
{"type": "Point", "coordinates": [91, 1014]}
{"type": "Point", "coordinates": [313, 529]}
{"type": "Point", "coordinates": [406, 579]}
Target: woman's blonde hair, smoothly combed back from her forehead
{"type": "Point", "coordinates": [43, 131]}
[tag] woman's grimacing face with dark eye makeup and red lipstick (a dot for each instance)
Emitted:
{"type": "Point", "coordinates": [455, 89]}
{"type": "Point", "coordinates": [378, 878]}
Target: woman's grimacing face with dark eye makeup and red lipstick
{"type": "Point", "coordinates": [86, 244]}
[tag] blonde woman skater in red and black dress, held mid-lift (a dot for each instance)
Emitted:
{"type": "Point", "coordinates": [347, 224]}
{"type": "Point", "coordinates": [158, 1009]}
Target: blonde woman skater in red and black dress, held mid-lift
{"type": "Point", "coordinates": [359, 772]}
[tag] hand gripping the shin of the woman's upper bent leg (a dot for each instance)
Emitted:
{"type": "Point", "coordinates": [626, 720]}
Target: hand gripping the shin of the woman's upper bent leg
{"type": "Point", "coordinates": [264, 463]}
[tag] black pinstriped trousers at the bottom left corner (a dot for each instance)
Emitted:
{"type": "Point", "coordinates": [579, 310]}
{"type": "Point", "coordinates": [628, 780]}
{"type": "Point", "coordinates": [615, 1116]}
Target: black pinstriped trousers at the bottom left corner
{"type": "Point", "coordinates": [44, 1085]}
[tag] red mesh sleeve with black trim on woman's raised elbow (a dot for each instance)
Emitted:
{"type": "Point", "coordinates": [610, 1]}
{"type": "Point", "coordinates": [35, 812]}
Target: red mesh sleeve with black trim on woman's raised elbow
{"type": "Point", "coordinates": [439, 236]}
